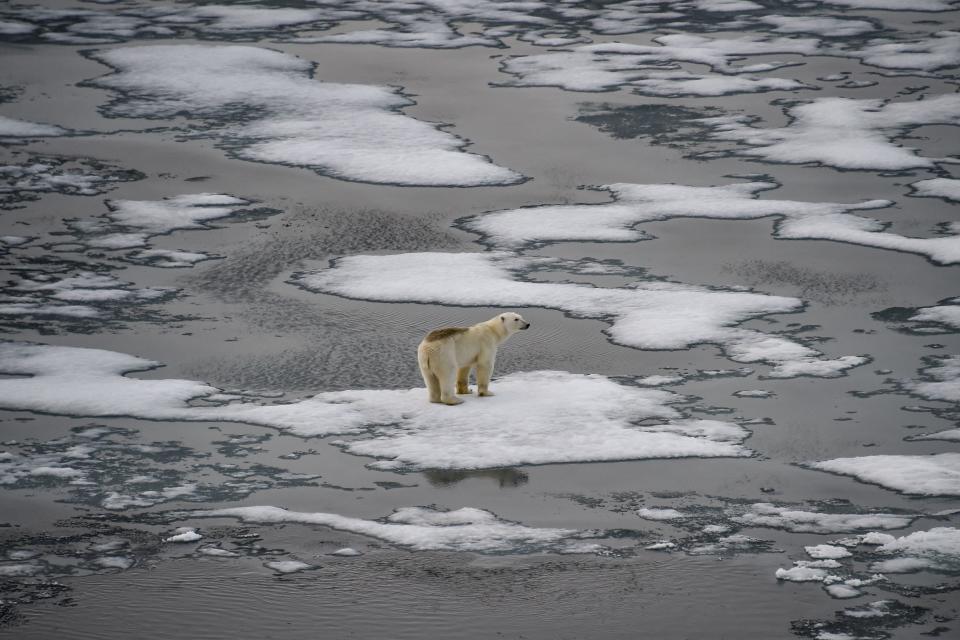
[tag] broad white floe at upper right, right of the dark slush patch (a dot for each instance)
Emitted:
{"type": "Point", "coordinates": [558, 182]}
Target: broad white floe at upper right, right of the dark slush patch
{"type": "Point", "coordinates": [843, 133]}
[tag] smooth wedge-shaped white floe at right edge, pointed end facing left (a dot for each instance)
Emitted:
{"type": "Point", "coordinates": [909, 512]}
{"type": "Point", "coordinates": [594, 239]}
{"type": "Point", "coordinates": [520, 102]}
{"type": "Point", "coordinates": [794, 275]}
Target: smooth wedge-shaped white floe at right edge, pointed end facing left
{"type": "Point", "coordinates": [937, 474]}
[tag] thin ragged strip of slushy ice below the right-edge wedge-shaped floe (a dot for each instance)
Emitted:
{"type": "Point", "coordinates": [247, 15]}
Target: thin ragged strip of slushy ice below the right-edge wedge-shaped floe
{"type": "Point", "coordinates": [769, 515]}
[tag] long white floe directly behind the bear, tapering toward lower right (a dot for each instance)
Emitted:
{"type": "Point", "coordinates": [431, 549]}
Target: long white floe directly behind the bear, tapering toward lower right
{"type": "Point", "coordinates": [646, 315]}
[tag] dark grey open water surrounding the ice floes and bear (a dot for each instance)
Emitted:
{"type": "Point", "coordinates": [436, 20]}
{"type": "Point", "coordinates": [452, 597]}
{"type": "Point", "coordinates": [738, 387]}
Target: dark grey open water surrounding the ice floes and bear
{"type": "Point", "coordinates": [238, 323]}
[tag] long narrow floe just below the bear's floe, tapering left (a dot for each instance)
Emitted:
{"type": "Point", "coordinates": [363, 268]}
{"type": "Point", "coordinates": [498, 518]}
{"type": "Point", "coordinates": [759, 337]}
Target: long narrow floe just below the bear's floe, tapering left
{"type": "Point", "coordinates": [424, 529]}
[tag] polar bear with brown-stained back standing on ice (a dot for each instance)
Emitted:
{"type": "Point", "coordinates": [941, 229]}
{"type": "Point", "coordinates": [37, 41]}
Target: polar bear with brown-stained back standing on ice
{"type": "Point", "coordinates": [447, 355]}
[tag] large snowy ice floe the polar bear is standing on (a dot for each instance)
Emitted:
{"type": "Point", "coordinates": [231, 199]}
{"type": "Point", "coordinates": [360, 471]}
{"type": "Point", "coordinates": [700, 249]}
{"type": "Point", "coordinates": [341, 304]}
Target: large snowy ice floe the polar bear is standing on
{"type": "Point", "coordinates": [559, 409]}
